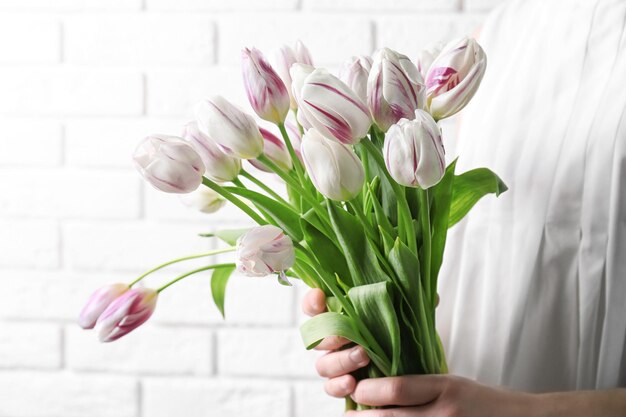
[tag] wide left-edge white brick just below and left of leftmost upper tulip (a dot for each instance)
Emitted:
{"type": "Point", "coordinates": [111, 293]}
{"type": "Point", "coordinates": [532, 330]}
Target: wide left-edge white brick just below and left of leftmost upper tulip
{"type": "Point", "coordinates": [69, 193]}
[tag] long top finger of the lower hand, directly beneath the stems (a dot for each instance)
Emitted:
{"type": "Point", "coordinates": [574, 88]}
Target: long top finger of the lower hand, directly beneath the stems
{"type": "Point", "coordinates": [405, 390]}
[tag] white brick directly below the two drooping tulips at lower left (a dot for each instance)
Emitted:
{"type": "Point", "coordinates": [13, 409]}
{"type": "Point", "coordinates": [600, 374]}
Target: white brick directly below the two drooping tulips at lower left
{"type": "Point", "coordinates": [149, 349]}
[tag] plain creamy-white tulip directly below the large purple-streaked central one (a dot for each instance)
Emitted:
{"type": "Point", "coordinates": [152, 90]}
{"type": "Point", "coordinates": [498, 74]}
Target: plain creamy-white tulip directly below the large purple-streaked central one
{"type": "Point", "coordinates": [334, 168]}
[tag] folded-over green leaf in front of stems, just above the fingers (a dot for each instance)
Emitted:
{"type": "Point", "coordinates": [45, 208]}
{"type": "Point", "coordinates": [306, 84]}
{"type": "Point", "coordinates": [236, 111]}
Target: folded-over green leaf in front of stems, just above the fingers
{"type": "Point", "coordinates": [375, 308]}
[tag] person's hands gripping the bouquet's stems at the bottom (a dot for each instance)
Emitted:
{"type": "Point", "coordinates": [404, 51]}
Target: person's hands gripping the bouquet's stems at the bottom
{"type": "Point", "coordinates": [412, 395]}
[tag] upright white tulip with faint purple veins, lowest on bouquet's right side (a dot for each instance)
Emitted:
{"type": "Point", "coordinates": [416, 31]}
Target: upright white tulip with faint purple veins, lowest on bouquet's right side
{"type": "Point", "coordinates": [414, 152]}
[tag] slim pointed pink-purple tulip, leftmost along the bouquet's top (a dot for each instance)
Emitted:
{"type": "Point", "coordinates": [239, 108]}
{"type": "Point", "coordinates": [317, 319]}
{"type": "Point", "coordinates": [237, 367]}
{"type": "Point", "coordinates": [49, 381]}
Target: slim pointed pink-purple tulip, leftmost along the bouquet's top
{"type": "Point", "coordinates": [266, 92]}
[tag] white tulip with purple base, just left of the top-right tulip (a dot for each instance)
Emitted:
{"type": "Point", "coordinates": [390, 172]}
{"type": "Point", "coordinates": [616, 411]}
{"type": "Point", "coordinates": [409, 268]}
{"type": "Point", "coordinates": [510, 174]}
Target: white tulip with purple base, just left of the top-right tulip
{"type": "Point", "coordinates": [395, 89]}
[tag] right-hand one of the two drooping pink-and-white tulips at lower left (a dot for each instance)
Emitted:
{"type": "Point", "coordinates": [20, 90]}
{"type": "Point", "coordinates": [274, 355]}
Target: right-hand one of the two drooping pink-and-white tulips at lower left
{"type": "Point", "coordinates": [126, 313]}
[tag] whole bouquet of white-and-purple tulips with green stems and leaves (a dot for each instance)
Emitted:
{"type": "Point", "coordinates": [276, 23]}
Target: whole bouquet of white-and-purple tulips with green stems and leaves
{"type": "Point", "coordinates": [369, 197]}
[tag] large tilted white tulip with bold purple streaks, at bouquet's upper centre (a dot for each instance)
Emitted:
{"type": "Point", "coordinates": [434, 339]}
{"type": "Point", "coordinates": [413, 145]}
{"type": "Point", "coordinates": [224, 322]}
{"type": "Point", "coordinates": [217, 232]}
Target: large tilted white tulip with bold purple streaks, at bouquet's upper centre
{"type": "Point", "coordinates": [329, 105]}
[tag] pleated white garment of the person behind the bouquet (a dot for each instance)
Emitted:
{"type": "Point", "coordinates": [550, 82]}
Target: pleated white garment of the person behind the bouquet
{"type": "Point", "coordinates": [533, 287]}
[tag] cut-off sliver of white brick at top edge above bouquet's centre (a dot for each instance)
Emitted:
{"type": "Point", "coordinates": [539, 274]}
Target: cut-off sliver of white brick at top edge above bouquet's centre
{"type": "Point", "coordinates": [376, 5]}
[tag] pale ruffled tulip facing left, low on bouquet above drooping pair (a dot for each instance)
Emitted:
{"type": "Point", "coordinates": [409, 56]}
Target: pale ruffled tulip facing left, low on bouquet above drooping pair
{"type": "Point", "coordinates": [264, 250]}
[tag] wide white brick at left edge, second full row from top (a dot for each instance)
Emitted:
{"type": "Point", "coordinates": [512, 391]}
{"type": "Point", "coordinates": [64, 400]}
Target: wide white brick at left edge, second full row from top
{"type": "Point", "coordinates": [69, 91]}
